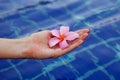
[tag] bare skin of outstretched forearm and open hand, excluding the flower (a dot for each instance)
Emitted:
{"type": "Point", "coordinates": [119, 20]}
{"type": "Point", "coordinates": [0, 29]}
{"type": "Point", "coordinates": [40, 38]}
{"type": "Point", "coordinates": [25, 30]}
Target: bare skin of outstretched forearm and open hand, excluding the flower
{"type": "Point", "coordinates": [36, 46]}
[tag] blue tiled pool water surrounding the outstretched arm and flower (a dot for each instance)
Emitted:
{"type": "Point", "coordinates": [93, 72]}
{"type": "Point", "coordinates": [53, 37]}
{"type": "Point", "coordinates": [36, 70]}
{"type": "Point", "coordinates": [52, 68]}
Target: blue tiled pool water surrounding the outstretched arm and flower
{"type": "Point", "coordinates": [97, 59]}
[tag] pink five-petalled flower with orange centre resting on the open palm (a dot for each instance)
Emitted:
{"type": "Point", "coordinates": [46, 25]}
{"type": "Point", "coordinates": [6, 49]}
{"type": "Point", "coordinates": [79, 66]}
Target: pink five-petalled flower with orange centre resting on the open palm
{"type": "Point", "coordinates": [62, 36]}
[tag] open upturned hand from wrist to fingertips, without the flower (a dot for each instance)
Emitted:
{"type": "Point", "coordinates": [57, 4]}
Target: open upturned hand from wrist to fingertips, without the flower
{"type": "Point", "coordinates": [39, 49]}
